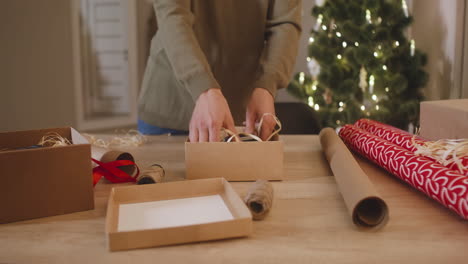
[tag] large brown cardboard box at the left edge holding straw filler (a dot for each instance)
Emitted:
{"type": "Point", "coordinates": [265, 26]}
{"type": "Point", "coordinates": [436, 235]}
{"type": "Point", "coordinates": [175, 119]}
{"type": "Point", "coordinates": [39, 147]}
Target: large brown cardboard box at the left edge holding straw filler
{"type": "Point", "coordinates": [44, 181]}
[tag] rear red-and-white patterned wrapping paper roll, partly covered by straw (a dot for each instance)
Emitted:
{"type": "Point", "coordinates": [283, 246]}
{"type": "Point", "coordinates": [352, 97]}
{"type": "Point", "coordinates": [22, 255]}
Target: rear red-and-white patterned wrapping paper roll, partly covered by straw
{"type": "Point", "coordinates": [402, 139]}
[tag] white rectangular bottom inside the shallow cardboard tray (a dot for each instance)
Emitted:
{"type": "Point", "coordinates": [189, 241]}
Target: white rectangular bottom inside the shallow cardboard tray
{"type": "Point", "coordinates": [173, 213]}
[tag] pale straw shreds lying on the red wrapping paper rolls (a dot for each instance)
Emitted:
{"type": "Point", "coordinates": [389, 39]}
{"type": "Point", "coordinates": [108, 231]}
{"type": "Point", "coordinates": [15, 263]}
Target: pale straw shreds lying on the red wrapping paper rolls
{"type": "Point", "coordinates": [444, 151]}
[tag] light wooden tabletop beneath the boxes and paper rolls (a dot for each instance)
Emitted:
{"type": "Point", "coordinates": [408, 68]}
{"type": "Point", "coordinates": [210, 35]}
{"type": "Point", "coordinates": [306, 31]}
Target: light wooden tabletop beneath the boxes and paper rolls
{"type": "Point", "coordinates": [308, 223]}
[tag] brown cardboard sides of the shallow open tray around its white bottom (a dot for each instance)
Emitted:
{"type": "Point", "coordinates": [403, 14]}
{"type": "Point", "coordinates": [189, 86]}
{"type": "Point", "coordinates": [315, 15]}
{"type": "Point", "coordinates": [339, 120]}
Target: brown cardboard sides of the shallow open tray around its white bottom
{"type": "Point", "coordinates": [240, 224]}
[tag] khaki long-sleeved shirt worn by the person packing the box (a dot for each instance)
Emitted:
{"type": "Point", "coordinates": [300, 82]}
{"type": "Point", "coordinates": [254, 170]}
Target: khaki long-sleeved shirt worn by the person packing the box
{"type": "Point", "coordinates": [234, 45]}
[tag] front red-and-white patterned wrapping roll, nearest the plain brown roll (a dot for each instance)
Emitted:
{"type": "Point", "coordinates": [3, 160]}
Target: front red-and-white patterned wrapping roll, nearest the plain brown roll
{"type": "Point", "coordinates": [446, 186]}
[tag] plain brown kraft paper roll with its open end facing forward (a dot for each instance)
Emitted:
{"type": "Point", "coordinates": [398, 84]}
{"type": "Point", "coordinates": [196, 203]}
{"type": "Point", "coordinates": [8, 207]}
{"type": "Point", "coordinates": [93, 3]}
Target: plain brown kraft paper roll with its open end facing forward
{"type": "Point", "coordinates": [365, 205]}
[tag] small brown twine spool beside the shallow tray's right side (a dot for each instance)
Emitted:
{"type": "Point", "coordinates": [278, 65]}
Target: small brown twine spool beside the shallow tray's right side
{"type": "Point", "coordinates": [259, 199]}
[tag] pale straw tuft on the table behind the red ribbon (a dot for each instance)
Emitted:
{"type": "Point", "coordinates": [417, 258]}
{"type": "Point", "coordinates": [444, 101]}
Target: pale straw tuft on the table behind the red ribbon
{"type": "Point", "coordinates": [132, 138]}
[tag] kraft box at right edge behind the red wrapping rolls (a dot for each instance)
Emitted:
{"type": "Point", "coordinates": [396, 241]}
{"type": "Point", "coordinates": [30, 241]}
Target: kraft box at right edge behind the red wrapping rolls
{"type": "Point", "coordinates": [444, 119]}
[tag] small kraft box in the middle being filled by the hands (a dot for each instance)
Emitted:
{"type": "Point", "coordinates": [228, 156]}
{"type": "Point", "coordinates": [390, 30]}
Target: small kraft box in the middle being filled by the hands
{"type": "Point", "coordinates": [235, 161]}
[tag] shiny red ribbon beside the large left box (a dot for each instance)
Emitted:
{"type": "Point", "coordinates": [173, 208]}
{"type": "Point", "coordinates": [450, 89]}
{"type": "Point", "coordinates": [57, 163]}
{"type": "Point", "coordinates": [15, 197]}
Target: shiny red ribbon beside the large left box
{"type": "Point", "coordinates": [111, 171]}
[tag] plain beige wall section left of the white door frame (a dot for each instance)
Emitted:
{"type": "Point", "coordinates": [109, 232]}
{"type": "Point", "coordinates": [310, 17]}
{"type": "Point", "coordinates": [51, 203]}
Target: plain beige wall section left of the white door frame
{"type": "Point", "coordinates": [36, 64]}
